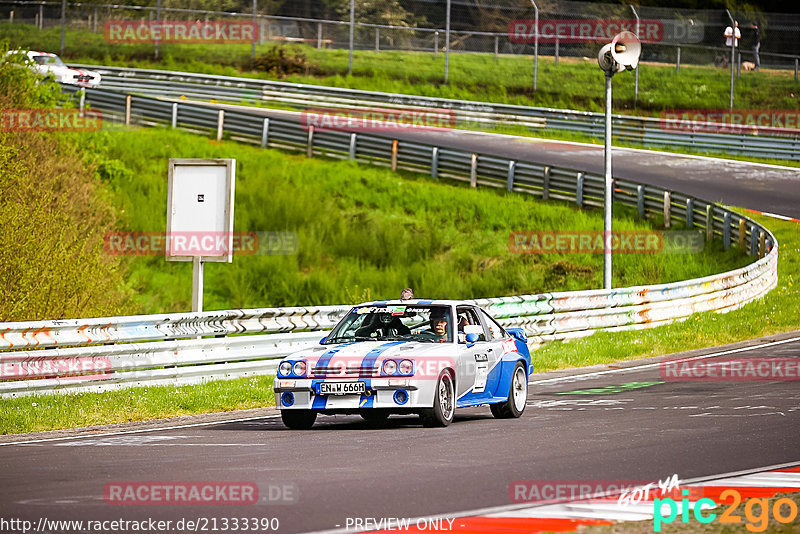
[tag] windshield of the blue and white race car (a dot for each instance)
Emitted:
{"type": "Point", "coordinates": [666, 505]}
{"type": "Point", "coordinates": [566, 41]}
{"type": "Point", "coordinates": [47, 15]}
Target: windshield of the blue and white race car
{"type": "Point", "coordinates": [428, 324]}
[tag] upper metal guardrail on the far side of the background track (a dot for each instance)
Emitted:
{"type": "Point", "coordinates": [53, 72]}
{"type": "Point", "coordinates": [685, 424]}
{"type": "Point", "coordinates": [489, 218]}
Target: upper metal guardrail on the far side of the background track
{"type": "Point", "coordinates": [646, 131]}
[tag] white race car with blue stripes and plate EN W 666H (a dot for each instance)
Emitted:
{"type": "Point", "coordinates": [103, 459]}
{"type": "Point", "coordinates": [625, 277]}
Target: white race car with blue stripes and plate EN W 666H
{"type": "Point", "coordinates": [425, 357]}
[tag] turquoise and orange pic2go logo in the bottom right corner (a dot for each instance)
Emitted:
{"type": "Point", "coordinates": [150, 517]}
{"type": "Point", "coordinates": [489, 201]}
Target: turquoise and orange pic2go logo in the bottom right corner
{"type": "Point", "coordinates": [758, 520]}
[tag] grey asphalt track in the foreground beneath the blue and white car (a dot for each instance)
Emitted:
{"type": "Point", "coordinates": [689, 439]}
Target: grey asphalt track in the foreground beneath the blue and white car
{"type": "Point", "coordinates": [634, 424]}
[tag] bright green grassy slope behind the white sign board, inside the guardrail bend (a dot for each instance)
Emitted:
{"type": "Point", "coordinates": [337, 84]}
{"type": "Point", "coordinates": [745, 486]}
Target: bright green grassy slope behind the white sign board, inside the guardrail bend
{"type": "Point", "coordinates": [363, 232]}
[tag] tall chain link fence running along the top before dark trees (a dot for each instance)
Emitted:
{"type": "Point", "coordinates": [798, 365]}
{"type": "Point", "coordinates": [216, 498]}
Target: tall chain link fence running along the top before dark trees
{"type": "Point", "coordinates": [565, 29]}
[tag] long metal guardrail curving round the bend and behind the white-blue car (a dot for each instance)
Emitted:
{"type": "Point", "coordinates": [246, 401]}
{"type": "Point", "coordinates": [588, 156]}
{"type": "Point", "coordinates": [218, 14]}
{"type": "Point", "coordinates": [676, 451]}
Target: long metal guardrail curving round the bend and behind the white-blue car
{"type": "Point", "coordinates": [107, 353]}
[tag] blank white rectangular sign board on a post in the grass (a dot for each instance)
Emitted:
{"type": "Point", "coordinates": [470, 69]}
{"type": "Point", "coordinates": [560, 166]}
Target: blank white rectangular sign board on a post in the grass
{"type": "Point", "coordinates": [200, 209]}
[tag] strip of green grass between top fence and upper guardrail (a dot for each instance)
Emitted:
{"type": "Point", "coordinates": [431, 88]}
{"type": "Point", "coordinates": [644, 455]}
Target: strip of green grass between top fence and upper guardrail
{"type": "Point", "coordinates": [573, 84]}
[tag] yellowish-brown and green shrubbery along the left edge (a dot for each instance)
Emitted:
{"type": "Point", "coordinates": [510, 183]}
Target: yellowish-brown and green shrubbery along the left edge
{"type": "Point", "coordinates": [53, 215]}
